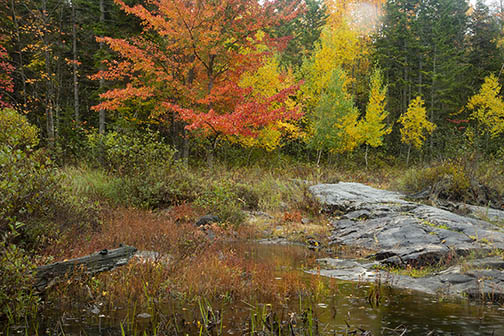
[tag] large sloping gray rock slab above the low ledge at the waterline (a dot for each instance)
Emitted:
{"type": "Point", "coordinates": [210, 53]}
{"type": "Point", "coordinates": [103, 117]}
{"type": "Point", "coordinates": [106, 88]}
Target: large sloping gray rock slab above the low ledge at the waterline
{"type": "Point", "coordinates": [416, 234]}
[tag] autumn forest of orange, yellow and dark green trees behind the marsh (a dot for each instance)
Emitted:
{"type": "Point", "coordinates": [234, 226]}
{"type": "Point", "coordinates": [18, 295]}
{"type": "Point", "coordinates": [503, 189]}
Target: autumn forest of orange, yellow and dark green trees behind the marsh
{"type": "Point", "coordinates": [78, 69]}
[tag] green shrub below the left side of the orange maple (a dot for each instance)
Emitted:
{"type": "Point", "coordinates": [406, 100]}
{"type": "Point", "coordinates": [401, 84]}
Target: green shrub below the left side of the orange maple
{"type": "Point", "coordinates": [144, 171]}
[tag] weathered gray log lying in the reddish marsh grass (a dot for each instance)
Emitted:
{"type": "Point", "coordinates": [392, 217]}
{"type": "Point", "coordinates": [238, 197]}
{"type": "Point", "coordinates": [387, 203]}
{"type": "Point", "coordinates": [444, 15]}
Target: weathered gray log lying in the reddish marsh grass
{"type": "Point", "coordinates": [104, 260]}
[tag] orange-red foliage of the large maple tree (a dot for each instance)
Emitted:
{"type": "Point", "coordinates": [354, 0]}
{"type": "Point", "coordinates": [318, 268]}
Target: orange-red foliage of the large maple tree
{"type": "Point", "coordinates": [189, 60]}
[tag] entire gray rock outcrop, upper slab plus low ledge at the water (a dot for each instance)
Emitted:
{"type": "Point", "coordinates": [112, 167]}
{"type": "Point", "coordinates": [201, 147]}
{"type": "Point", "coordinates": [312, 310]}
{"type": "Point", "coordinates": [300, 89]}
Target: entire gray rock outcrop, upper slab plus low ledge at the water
{"type": "Point", "coordinates": [405, 234]}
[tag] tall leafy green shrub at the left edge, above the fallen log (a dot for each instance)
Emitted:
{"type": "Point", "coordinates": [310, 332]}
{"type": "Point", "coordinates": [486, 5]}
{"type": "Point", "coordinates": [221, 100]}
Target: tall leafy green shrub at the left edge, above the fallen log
{"type": "Point", "coordinates": [31, 191]}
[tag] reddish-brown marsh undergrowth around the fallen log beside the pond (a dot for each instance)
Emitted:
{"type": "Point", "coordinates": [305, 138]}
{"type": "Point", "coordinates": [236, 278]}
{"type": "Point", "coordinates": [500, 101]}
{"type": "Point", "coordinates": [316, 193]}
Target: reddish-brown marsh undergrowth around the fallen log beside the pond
{"type": "Point", "coordinates": [190, 265]}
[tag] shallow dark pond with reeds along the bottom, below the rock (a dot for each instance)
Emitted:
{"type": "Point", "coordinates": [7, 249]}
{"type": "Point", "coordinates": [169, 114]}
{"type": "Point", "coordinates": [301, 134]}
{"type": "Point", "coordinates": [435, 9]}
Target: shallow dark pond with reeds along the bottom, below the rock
{"type": "Point", "coordinates": [337, 308]}
